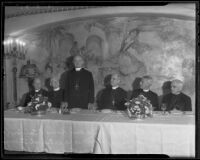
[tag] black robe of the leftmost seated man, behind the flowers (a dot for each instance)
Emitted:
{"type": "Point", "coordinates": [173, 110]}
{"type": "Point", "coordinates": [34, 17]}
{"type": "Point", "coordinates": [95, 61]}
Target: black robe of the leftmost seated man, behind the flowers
{"type": "Point", "coordinates": [30, 94]}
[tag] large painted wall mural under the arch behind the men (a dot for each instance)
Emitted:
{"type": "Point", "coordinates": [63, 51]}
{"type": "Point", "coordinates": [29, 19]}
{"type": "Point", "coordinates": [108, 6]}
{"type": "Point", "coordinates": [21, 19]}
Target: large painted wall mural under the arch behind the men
{"type": "Point", "coordinates": [134, 46]}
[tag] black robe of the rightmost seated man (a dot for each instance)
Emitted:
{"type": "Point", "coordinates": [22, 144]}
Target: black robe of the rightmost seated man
{"type": "Point", "coordinates": [180, 102]}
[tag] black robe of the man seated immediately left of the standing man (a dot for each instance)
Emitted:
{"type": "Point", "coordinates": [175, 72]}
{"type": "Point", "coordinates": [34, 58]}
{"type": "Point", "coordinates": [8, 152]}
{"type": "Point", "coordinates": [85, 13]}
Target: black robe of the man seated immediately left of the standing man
{"type": "Point", "coordinates": [56, 97]}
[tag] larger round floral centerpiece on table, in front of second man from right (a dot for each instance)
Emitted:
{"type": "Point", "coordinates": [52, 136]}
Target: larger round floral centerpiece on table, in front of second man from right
{"type": "Point", "coordinates": [139, 107]}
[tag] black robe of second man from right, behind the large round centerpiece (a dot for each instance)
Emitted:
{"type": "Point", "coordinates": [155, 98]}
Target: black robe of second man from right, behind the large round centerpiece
{"type": "Point", "coordinates": [151, 96]}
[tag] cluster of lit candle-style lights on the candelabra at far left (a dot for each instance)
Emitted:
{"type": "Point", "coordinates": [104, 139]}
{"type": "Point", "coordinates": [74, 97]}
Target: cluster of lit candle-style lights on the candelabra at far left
{"type": "Point", "coordinates": [15, 48]}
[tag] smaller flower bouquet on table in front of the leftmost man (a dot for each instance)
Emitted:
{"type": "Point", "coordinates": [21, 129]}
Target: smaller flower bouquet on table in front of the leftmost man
{"type": "Point", "coordinates": [38, 105]}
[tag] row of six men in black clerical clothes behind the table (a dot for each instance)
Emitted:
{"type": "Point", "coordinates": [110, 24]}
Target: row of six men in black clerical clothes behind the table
{"type": "Point", "coordinates": [78, 92]}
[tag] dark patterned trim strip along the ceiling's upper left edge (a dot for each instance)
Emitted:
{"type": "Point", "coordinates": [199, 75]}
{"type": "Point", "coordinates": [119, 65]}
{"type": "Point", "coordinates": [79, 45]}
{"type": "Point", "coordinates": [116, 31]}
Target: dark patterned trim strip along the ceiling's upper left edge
{"type": "Point", "coordinates": [40, 10]}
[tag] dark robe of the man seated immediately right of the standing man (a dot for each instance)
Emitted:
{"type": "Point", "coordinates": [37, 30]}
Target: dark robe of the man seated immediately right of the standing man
{"type": "Point", "coordinates": [109, 95]}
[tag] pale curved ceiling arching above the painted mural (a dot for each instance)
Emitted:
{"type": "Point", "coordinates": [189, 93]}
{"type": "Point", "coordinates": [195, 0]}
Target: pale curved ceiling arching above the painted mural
{"type": "Point", "coordinates": [24, 19]}
